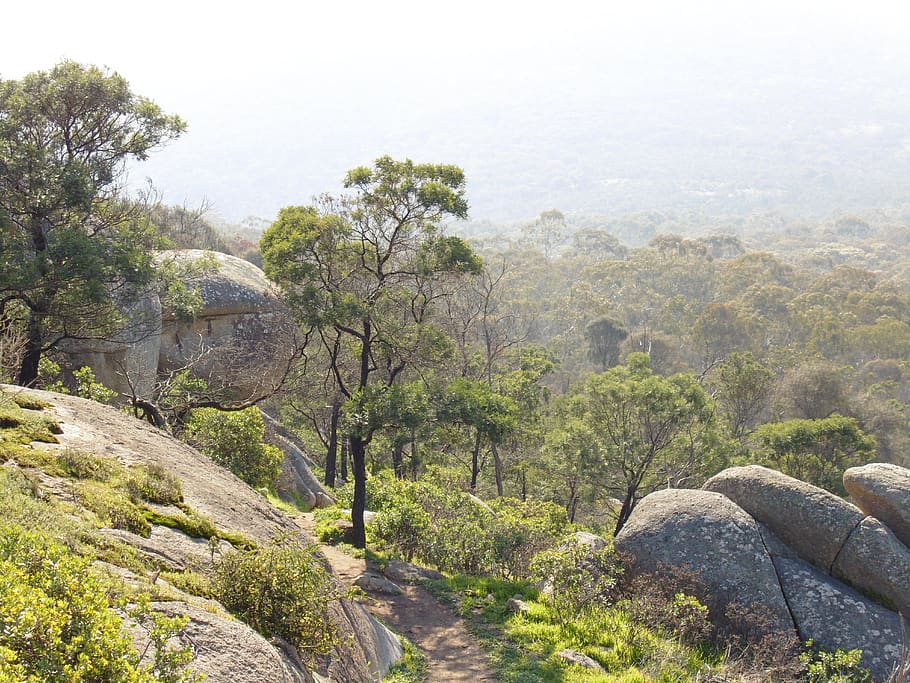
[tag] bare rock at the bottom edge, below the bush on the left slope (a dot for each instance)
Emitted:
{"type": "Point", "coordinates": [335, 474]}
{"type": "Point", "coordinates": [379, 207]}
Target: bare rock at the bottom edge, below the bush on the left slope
{"type": "Point", "coordinates": [227, 650]}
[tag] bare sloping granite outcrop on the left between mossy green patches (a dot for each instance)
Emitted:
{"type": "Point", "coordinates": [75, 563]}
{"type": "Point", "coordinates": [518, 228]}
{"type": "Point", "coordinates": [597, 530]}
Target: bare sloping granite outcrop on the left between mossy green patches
{"type": "Point", "coordinates": [366, 648]}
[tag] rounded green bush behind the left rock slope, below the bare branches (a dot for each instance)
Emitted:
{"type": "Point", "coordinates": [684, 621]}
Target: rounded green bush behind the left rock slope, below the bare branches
{"type": "Point", "coordinates": [234, 440]}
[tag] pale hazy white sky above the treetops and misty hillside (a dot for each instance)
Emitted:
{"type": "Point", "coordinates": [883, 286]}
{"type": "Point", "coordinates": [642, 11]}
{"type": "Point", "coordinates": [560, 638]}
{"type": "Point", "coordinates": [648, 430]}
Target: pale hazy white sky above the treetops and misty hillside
{"type": "Point", "coordinates": [281, 98]}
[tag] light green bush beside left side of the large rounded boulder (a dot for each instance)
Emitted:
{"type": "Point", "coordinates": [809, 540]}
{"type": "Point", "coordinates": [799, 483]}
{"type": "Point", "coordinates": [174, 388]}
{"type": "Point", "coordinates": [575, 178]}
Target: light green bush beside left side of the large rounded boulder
{"type": "Point", "coordinates": [580, 578]}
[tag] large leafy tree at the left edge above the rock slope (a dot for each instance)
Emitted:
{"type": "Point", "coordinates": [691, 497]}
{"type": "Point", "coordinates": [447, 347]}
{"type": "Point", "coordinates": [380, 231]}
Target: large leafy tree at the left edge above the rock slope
{"type": "Point", "coordinates": [71, 245]}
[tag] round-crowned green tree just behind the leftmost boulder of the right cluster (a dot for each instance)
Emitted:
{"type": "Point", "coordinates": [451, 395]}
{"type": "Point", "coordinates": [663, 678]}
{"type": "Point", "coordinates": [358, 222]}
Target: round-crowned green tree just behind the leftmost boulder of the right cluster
{"type": "Point", "coordinates": [652, 431]}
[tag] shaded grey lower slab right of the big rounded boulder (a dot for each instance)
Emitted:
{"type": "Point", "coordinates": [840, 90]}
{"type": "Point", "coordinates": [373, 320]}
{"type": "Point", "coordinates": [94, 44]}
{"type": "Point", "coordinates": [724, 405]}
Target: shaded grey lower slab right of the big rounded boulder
{"type": "Point", "coordinates": [836, 616]}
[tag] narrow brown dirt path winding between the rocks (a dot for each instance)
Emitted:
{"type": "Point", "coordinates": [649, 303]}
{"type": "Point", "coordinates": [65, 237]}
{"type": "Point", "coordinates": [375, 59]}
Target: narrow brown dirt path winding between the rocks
{"type": "Point", "coordinates": [452, 653]}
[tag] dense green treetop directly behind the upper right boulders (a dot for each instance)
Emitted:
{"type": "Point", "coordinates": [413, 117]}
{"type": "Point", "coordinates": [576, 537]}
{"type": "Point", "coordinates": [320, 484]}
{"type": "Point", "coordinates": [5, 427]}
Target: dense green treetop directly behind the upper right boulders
{"type": "Point", "coordinates": [815, 451]}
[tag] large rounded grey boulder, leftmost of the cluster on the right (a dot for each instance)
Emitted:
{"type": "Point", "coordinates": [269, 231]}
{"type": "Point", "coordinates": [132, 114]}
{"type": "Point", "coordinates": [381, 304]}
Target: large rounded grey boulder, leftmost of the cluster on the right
{"type": "Point", "coordinates": [710, 535]}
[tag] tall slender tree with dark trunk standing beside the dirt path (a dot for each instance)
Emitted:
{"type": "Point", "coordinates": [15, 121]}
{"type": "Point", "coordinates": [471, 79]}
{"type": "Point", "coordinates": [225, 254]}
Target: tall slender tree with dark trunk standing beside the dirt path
{"type": "Point", "coordinates": [364, 272]}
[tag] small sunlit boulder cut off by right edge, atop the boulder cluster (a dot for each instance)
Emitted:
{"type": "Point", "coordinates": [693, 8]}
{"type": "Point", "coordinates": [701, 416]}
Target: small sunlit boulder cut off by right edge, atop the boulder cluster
{"type": "Point", "coordinates": [882, 490]}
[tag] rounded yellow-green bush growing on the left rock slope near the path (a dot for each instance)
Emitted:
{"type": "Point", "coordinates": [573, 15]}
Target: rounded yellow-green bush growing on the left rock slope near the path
{"type": "Point", "coordinates": [280, 590]}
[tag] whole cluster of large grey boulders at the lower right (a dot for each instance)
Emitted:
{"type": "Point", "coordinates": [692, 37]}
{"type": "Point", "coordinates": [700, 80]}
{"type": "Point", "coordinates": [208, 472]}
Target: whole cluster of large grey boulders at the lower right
{"type": "Point", "coordinates": [843, 575]}
